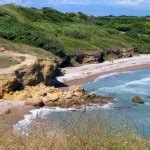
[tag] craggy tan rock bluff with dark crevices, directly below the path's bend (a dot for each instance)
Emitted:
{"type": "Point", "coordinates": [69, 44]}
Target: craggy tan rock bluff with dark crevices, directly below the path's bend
{"type": "Point", "coordinates": [40, 72]}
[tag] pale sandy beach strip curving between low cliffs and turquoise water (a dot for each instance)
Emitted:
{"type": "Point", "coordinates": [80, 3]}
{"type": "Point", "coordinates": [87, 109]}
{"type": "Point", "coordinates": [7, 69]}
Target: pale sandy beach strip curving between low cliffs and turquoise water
{"type": "Point", "coordinates": [83, 74]}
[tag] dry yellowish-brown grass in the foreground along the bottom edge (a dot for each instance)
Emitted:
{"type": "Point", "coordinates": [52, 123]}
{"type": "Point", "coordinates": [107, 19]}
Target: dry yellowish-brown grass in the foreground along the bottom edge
{"type": "Point", "coordinates": [84, 132]}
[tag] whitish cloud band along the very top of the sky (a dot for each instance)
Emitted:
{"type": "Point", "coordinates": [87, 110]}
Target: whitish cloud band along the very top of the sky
{"type": "Point", "coordinates": [83, 2]}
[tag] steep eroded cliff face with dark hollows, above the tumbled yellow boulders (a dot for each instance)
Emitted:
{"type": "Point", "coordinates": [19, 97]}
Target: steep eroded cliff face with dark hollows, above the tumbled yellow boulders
{"type": "Point", "coordinates": [41, 71]}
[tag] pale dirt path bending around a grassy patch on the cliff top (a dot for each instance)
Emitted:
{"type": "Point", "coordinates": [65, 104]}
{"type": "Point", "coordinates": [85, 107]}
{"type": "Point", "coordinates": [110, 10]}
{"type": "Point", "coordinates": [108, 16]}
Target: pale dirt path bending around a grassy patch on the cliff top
{"type": "Point", "coordinates": [24, 59]}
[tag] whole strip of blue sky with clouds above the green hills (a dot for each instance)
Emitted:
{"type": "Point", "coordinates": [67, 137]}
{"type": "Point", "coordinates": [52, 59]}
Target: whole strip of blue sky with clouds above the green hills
{"type": "Point", "coordinates": [91, 7]}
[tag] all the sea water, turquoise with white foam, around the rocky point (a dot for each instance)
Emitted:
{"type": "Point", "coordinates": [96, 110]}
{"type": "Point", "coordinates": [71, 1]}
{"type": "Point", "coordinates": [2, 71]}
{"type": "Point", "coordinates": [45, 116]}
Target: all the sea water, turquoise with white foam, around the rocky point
{"type": "Point", "coordinates": [122, 87]}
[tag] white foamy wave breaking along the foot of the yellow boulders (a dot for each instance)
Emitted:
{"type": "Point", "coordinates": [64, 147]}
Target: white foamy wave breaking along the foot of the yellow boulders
{"type": "Point", "coordinates": [42, 113]}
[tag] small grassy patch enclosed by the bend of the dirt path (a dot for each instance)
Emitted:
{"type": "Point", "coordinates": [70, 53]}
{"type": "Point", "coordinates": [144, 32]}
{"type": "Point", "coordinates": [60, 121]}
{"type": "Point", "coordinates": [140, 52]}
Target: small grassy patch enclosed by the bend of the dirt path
{"type": "Point", "coordinates": [6, 61]}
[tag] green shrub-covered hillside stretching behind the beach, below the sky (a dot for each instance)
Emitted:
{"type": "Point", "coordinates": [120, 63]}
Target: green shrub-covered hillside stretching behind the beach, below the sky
{"type": "Point", "coordinates": [72, 33]}
